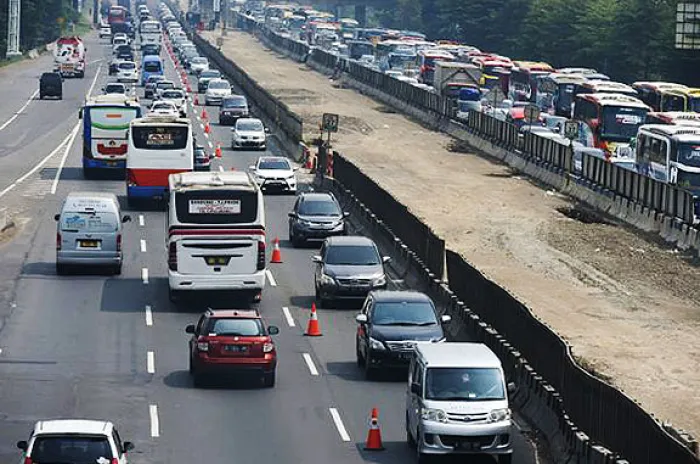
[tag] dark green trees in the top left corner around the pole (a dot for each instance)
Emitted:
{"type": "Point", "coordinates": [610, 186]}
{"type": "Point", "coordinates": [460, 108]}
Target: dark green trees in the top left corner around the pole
{"type": "Point", "coordinates": [41, 21]}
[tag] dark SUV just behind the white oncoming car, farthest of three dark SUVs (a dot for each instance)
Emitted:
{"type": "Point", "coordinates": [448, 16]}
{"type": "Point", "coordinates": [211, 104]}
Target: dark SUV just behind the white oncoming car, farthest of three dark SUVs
{"type": "Point", "coordinates": [316, 216]}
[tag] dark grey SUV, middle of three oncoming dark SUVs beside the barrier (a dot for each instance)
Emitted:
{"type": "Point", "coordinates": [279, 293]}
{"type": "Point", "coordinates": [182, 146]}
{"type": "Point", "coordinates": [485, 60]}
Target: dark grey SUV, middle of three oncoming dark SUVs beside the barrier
{"type": "Point", "coordinates": [348, 268]}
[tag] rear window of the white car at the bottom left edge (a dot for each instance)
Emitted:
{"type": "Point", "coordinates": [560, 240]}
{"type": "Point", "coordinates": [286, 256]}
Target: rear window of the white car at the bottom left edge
{"type": "Point", "coordinates": [71, 449]}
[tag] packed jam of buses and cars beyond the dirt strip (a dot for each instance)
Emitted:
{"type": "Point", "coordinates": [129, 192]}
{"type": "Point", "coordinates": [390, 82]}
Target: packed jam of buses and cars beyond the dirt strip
{"type": "Point", "coordinates": [652, 128]}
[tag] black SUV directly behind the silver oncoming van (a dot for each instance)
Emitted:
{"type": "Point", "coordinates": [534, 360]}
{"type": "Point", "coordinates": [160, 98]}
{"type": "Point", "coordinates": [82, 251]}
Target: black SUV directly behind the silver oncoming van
{"type": "Point", "coordinates": [389, 326]}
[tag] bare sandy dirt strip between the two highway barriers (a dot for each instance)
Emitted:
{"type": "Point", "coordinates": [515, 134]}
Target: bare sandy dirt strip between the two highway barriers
{"type": "Point", "coordinates": [627, 304]}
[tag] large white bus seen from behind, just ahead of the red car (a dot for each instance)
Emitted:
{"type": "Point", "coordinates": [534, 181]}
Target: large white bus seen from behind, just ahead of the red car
{"type": "Point", "coordinates": [216, 233]}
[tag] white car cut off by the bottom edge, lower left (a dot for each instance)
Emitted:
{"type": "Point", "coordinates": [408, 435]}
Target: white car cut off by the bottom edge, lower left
{"type": "Point", "coordinates": [75, 440]}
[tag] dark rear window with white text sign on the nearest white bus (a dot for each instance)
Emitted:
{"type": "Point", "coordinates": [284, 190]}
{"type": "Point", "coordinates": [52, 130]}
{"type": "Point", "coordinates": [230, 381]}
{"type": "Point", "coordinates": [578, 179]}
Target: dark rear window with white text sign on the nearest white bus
{"type": "Point", "coordinates": [217, 207]}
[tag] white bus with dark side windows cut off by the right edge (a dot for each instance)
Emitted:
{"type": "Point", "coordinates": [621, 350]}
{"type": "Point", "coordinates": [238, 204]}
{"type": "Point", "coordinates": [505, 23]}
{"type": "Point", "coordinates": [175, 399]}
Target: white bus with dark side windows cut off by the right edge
{"type": "Point", "coordinates": [670, 154]}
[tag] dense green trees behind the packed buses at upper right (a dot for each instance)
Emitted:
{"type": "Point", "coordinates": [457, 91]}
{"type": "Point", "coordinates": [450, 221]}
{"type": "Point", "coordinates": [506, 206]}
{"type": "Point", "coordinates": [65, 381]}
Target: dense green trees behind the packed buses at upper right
{"type": "Point", "coordinates": [629, 40]}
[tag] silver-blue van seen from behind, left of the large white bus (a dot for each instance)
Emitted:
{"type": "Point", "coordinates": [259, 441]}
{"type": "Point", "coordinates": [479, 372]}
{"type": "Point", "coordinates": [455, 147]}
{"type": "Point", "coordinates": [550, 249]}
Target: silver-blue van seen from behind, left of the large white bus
{"type": "Point", "coordinates": [89, 231]}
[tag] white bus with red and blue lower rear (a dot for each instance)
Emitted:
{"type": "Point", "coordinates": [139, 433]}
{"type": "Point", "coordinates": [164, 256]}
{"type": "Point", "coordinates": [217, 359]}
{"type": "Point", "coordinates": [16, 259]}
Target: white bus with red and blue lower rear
{"type": "Point", "coordinates": [158, 146]}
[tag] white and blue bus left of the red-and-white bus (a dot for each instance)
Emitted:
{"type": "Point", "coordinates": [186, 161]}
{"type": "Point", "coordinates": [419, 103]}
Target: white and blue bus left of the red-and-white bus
{"type": "Point", "coordinates": [106, 120]}
